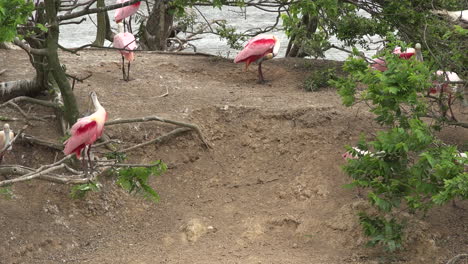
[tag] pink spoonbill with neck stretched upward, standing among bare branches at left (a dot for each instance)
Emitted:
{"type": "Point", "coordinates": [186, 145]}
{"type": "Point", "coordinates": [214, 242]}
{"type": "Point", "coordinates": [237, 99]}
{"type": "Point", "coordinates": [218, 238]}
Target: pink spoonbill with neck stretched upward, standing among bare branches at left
{"type": "Point", "coordinates": [86, 131]}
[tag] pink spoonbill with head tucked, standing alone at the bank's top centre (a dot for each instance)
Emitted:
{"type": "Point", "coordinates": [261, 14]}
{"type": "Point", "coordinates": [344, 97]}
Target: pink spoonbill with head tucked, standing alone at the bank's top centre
{"type": "Point", "coordinates": [259, 49]}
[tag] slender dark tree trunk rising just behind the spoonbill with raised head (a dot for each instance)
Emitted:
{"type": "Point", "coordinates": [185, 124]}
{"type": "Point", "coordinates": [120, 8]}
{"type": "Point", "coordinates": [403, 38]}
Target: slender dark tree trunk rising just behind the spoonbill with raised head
{"type": "Point", "coordinates": [69, 101]}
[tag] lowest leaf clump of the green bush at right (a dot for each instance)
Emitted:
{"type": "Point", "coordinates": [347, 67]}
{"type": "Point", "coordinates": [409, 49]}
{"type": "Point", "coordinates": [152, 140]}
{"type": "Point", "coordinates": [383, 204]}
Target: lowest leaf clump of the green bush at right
{"type": "Point", "coordinates": [387, 233]}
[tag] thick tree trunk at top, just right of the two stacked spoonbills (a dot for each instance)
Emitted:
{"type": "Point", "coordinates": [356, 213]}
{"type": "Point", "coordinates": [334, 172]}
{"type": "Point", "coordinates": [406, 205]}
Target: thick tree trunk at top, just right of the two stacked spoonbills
{"type": "Point", "coordinates": [158, 28]}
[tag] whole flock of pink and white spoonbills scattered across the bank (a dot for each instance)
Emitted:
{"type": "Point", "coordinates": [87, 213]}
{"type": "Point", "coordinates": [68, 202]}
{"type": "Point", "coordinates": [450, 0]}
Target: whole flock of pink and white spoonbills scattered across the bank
{"type": "Point", "coordinates": [260, 48]}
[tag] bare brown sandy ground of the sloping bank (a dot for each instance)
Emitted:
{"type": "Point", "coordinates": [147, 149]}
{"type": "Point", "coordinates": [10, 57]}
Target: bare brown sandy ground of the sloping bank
{"type": "Point", "coordinates": [269, 191]}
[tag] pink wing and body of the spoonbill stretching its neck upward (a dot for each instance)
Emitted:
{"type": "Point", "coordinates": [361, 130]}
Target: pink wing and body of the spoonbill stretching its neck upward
{"type": "Point", "coordinates": [83, 132]}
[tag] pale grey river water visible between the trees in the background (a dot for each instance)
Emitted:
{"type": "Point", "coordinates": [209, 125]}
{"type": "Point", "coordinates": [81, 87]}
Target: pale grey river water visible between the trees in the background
{"type": "Point", "coordinates": [76, 35]}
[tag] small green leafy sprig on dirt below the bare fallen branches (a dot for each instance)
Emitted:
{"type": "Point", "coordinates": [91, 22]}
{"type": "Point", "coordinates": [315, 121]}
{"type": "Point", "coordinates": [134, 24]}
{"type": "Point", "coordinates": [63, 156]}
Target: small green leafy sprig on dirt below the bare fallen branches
{"type": "Point", "coordinates": [135, 179]}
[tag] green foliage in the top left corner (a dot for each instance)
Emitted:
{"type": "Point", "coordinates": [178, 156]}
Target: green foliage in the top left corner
{"type": "Point", "coordinates": [13, 13]}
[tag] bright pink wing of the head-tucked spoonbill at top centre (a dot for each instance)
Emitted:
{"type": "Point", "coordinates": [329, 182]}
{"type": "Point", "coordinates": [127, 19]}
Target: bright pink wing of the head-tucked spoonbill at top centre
{"type": "Point", "coordinates": [256, 48]}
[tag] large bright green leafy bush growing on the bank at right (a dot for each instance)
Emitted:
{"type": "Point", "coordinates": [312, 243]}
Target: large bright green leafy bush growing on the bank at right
{"type": "Point", "coordinates": [409, 168]}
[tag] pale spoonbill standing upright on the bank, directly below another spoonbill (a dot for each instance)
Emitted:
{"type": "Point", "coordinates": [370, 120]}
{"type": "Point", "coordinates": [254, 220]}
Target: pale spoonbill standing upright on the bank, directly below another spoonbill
{"type": "Point", "coordinates": [125, 40]}
